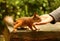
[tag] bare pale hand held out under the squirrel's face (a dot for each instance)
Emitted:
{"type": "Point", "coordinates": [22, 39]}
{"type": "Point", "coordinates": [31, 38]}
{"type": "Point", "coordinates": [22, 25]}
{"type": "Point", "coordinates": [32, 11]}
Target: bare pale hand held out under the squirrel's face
{"type": "Point", "coordinates": [44, 19]}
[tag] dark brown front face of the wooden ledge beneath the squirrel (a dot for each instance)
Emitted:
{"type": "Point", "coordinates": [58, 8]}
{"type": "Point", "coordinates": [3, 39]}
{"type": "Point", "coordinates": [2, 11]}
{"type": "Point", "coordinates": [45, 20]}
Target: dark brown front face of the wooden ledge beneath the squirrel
{"type": "Point", "coordinates": [35, 36]}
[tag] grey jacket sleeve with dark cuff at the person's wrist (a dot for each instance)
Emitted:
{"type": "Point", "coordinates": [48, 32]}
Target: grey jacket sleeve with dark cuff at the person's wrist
{"type": "Point", "coordinates": [55, 15]}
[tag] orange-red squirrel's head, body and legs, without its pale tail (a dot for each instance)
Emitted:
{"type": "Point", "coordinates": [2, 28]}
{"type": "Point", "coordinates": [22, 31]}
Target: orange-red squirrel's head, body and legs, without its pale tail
{"type": "Point", "coordinates": [27, 21]}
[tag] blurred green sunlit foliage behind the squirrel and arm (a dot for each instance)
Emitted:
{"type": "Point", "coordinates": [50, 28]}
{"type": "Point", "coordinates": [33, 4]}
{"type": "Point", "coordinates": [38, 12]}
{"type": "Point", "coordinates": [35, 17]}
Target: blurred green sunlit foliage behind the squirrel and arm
{"type": "Point", "coordinates": [21, 8]}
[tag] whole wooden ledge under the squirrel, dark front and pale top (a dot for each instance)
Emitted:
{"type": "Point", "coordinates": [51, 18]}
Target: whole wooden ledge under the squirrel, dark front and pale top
{"type": "Point", "coordinates": [46, 33]}
